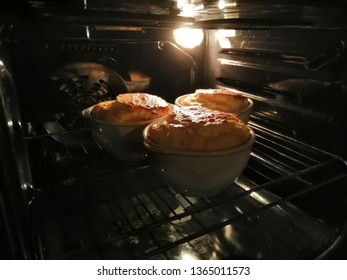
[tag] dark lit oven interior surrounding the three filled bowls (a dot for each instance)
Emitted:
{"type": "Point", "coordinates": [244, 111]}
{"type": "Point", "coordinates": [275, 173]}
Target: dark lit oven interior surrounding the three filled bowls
{"type": "Point", "coordinates": [80, 202]}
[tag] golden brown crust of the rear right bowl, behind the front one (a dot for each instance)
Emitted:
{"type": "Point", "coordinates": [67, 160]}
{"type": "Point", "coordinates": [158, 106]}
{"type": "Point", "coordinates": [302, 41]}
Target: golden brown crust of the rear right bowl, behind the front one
{"type": "Point", "coordinates": [217, 99]}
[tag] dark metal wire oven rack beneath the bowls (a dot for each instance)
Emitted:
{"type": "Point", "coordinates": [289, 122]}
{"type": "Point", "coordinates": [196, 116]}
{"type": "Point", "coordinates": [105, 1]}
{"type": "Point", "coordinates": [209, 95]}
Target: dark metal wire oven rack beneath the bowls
{"type": "Point", "coordinates": [281, 207]}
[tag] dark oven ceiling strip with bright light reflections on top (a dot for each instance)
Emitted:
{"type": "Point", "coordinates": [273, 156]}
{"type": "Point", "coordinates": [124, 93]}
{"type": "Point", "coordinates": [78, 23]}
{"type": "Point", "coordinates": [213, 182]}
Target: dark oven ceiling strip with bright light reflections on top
{"type": "Point", "coordinates": [211, 14]}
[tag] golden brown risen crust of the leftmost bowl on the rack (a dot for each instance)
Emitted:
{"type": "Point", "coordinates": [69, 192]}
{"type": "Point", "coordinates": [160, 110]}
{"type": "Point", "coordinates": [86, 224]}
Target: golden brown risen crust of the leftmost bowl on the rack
{"type": "Point", "coordinates": [131, 107]}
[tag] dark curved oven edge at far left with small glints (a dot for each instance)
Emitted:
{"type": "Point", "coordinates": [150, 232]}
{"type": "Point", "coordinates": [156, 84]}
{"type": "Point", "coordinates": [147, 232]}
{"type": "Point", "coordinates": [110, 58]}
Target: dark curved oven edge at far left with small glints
{"type": "Point", "coordinates": [15, 183]}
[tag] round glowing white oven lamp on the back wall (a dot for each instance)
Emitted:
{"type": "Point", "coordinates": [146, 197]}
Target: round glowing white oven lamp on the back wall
{"type": "Point", "coordinates": [188, 37]}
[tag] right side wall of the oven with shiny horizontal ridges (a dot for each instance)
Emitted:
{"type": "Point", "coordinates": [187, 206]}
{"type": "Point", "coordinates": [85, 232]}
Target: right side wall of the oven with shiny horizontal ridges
{"type": "Point", "coordinates": [297, 78]}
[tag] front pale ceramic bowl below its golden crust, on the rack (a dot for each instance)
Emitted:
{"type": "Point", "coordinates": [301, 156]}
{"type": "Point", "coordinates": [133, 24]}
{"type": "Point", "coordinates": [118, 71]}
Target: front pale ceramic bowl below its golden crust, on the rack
{"type": "Point", "coordinates": [196, 173]}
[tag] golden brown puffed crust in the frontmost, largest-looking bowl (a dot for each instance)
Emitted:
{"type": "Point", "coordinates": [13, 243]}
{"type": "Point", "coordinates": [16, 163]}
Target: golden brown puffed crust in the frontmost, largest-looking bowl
{"type": "Point", "coordinates": [197, 128]}
